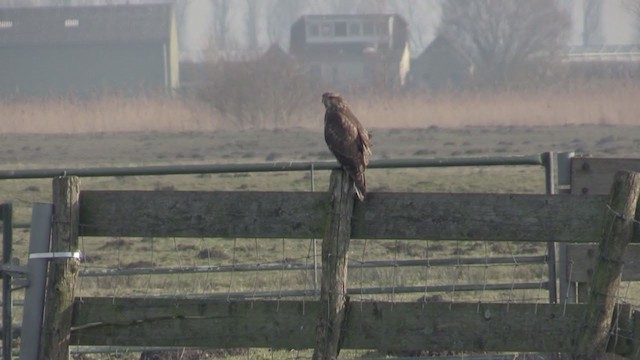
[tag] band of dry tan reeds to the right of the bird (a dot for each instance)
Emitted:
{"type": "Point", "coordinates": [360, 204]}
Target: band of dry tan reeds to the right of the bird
{"type": "Point", "coordinates": [610, 103]}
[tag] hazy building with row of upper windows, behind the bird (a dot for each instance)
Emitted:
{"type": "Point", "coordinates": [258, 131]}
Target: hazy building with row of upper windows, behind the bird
{"type": "Point", "coordinates": [353, 50]}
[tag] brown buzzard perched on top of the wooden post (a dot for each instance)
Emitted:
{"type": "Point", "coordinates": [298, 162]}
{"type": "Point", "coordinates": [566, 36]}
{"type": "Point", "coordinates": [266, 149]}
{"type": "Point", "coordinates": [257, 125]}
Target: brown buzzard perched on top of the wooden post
{"type": "Point", "coordinates": [347, 139]}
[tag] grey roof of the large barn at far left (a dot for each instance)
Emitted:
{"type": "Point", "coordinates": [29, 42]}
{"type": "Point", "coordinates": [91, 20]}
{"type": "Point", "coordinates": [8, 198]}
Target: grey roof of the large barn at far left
{"type": "Point", "coordinates": [85, 24]}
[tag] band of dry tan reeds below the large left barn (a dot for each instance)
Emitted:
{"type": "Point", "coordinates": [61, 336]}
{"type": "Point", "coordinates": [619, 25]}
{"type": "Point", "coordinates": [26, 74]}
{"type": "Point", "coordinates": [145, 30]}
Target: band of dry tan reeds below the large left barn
{"type": "Point", "coordinates": [105, 114]}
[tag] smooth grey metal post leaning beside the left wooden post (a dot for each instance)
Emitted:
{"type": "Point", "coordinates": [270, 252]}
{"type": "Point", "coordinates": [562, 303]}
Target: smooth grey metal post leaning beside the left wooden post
{"type": "Point", "coordinates": [37, 272]}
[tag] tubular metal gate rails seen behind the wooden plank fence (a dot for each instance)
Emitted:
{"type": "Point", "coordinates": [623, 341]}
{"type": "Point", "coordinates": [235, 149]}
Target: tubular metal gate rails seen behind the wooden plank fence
{"type": "Point", "coordinates": [526, 160]}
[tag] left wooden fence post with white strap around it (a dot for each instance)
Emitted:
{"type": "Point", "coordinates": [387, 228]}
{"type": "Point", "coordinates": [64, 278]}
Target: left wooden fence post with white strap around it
{"type": "Point", "coordinates": [63, 270]}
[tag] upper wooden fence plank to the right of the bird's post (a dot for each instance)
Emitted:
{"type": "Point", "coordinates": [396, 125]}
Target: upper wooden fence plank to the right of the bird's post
{"type": "Point", "coordinates": [517, 217]}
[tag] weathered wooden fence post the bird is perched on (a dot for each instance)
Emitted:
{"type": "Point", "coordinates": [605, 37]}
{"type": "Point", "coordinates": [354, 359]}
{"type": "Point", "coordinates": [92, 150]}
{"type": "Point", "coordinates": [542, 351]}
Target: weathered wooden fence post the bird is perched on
{"type": "Point", "coordinates": [334, 302]}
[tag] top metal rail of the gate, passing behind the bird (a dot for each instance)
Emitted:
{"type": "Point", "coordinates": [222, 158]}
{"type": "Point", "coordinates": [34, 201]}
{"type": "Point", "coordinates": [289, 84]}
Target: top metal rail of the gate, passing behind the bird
{"type": "Point", "coordinates": [536, 159]}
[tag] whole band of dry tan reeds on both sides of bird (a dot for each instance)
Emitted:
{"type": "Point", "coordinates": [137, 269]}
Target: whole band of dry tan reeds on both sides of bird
{"type": "Point", "coordinates": [611, 103]}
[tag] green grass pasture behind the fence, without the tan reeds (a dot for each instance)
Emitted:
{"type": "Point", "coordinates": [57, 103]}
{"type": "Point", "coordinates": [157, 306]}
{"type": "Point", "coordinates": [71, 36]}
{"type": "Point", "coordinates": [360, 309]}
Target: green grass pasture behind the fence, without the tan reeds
{"type": "Point", "coordinates": [128, 149]}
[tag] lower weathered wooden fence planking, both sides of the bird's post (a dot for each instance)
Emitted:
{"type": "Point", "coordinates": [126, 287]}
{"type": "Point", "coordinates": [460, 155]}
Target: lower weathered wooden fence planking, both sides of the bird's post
{"type": "Point", "coordinates": [291, 324]}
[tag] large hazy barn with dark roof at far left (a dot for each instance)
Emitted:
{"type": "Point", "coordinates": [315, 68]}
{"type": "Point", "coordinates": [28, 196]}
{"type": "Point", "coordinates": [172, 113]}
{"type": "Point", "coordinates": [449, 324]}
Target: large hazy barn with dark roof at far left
{"type": "Point", "coordinates": [87, 50]}
